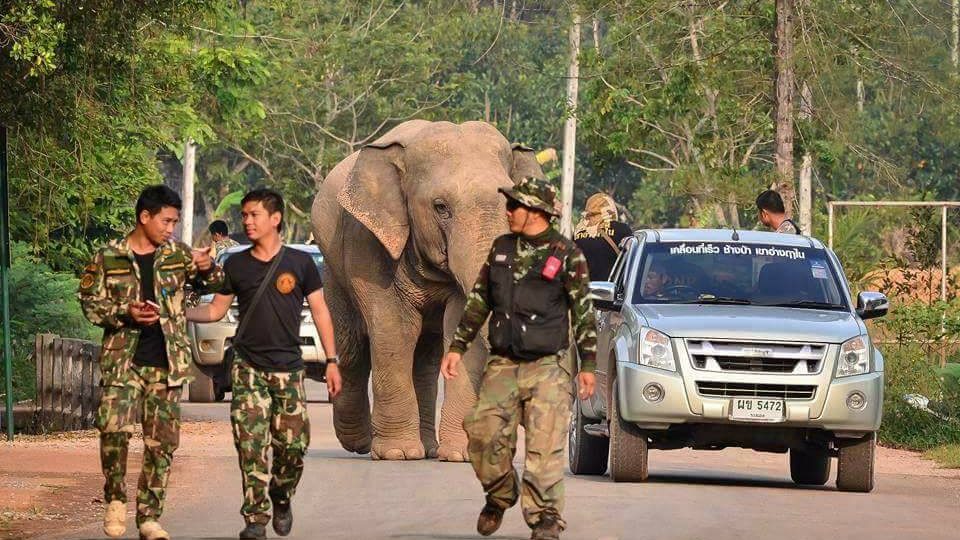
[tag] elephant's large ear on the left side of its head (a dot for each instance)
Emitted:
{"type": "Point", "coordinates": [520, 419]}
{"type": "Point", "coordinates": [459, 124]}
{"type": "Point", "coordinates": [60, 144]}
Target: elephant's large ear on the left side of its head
{"type": "Point", "coordinates": [373, 194]}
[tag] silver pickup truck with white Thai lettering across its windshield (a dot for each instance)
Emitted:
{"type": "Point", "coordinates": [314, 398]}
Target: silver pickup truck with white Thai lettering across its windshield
{"type": "Point", "coordinates": [711, 339]}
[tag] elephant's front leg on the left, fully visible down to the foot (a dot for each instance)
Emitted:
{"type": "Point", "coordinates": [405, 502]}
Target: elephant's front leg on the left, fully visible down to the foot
{"type": "Point", "coordinates": [396, 416]}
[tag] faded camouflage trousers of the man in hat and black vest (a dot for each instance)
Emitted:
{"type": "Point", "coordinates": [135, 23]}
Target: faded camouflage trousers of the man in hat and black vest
{"type": "Point", "coordinates": [536, 395]}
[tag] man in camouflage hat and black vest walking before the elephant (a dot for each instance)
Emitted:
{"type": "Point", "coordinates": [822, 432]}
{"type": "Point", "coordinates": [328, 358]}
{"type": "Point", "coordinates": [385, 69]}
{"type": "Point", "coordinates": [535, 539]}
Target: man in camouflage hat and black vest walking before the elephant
{"type": "Point", "coordinates": [534, 279]}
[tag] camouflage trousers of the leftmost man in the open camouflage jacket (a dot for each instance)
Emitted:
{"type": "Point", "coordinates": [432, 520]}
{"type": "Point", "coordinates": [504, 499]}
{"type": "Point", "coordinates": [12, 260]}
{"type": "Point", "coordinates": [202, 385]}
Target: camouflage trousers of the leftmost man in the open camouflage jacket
{"type": "Point", "coordinates": [144, 397]}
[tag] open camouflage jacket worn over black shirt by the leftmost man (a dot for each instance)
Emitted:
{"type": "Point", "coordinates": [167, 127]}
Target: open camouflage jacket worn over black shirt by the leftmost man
{"type": "Point", "coordinates": [112, 281]}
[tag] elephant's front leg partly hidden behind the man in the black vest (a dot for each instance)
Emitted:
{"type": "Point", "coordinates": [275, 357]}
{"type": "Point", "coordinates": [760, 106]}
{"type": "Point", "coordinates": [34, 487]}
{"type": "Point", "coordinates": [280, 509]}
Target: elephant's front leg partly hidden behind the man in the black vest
{"type": "Point", "coordinates": [459, 394]}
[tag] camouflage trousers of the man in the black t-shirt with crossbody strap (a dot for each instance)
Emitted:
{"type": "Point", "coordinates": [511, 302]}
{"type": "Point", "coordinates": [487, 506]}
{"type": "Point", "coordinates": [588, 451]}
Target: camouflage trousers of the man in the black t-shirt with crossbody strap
{"type": "Point", "coordinates": [269, 410]}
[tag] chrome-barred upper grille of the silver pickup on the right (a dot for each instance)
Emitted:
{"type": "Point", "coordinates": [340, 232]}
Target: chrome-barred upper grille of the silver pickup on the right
{"type": "Point", "coordinates": [745, 356]}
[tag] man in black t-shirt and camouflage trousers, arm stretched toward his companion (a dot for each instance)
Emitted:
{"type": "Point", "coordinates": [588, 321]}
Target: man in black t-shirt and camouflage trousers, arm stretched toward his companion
{"type": "Point", "coordinates": [269, 408]}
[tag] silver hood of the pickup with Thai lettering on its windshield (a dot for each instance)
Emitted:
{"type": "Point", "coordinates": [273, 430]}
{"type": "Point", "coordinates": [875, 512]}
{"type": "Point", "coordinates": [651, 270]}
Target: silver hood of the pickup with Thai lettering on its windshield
{"type": "Point", "coordinates": [751, 322]}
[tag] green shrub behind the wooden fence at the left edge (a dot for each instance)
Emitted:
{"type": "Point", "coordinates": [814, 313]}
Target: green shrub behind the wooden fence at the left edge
{"type": "Point", "coordinates": [41, 300]}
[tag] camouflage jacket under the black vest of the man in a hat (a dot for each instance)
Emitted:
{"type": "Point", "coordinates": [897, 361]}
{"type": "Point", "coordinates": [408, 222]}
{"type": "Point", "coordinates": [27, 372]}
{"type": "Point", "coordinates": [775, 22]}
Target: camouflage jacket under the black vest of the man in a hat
{"type": "Point", "coordinates": [576, 282]}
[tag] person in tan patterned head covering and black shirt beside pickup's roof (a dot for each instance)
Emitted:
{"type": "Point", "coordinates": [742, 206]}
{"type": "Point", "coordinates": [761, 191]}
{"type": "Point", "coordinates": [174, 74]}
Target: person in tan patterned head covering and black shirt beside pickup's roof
{"type": "Point", "coordinates": [599, 234]}
